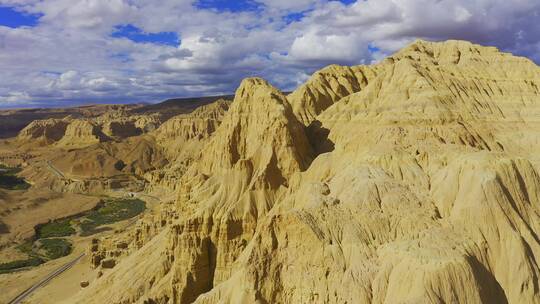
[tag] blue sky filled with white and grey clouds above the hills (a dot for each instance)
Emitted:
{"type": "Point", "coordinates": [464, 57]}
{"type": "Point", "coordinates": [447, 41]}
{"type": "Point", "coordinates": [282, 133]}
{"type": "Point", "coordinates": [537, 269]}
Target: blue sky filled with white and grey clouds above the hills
{"type": "Point", "coordinates": [66, 52]}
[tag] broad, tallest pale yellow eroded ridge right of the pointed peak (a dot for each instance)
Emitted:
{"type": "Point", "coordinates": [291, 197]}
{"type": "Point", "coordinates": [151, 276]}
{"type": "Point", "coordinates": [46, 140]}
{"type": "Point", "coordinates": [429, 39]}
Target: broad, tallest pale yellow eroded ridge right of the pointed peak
{"type": "Point", "coordinates": [384, 212]}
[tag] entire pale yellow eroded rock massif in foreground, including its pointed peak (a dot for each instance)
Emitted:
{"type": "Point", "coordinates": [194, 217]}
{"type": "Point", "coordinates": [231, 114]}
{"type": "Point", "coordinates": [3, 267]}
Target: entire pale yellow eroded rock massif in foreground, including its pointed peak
{"type": "Point", "coordinates": [419, 184]}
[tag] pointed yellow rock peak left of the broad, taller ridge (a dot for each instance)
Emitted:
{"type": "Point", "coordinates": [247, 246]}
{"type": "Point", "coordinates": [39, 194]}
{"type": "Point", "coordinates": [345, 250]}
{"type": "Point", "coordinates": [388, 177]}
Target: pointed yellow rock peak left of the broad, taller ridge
{"type": "Point", "coordinates": [222, 195]}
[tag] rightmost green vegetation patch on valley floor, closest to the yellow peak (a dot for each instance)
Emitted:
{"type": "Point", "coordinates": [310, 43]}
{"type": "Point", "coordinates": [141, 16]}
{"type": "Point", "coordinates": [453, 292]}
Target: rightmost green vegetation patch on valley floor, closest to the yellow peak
{"type": "Point", "coordinates": [109, 212]}
